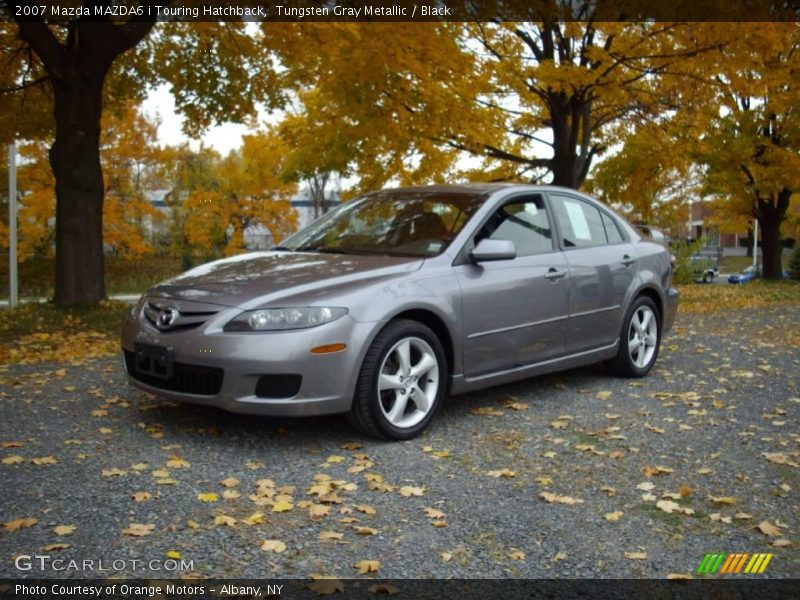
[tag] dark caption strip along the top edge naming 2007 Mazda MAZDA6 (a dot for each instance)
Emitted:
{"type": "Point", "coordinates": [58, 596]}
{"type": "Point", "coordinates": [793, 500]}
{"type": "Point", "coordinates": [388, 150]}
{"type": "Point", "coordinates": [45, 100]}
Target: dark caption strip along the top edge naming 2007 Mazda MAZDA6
{"type": "Point", "coordinates": [366, 11]}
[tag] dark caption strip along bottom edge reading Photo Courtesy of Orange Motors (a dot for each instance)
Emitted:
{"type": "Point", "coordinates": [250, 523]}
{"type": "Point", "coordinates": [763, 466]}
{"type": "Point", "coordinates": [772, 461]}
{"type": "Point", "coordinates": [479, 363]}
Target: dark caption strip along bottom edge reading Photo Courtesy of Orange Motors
{"type": "Point", "coordinates": [433, 589]}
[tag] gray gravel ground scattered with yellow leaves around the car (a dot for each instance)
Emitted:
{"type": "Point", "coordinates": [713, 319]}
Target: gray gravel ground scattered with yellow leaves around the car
{"type": "Point", "coordinates": [715, 420]}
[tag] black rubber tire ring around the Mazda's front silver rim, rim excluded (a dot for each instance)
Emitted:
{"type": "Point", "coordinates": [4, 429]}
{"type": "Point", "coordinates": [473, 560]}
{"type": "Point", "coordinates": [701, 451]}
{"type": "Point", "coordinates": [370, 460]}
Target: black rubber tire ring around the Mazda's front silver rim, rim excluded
{"type": "Point", "coordinates": [387, 339]}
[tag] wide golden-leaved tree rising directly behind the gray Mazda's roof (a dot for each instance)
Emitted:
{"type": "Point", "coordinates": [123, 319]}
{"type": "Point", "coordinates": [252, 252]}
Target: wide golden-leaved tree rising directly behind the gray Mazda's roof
{"type": "Point", "coordinates": [536, 100]}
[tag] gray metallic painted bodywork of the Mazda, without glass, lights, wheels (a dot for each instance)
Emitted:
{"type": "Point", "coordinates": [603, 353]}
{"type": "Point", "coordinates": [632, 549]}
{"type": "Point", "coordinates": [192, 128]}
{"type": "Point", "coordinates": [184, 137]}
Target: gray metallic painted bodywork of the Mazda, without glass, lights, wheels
{"type": "Point", "coordinates": [494, 339]}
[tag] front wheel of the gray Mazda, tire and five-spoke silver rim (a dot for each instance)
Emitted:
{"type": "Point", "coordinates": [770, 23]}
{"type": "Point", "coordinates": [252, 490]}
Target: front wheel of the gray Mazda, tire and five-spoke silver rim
{"type": "Point", "coordinates": [401, 404]}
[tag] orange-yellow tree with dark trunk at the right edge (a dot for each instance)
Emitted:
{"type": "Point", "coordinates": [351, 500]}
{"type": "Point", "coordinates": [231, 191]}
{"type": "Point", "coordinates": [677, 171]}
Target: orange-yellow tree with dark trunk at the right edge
{"type": "Point", "coordinates": [752, 148]}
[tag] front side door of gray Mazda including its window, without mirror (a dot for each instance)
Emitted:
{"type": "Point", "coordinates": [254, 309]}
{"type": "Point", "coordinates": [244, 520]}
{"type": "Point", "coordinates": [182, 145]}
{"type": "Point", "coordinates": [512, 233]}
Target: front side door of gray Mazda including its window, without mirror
{"type": "Point", "coordinates": [514, 311]}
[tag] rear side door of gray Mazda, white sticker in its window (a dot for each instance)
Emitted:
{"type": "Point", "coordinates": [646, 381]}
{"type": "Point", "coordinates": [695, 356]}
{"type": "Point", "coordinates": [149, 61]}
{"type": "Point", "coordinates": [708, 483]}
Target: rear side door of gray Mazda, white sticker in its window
{"type": "Point", "coordinates": [602, 266]}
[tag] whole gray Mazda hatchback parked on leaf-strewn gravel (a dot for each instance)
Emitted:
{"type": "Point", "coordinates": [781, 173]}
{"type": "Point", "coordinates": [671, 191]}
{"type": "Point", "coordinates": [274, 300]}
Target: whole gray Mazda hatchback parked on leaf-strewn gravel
{"type": "Point", "coordinates": [391, 302]}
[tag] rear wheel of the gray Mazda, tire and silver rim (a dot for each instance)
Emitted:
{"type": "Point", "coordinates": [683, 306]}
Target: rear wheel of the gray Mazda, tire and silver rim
{"type": "Point", "coordinates": [637, 354]}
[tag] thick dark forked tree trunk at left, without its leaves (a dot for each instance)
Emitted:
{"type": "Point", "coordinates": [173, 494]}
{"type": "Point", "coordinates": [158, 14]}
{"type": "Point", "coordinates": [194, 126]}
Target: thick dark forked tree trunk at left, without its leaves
{"type": "Point", "coordinates": [77, 65]}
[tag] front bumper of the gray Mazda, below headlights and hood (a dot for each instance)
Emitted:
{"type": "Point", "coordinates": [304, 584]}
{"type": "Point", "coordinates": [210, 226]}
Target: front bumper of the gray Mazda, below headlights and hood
{"type": "Point", "coordinates": [327, 381]}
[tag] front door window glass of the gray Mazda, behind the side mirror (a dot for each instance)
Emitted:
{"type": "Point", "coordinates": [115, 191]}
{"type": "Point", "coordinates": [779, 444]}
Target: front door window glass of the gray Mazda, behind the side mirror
{"type": "Point", "coordinates": [524, 222]}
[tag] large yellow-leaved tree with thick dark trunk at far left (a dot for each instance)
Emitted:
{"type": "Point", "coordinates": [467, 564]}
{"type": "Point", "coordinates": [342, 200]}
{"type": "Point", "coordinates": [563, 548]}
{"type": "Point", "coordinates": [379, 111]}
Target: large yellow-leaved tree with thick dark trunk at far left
{"type": "Point", "coordinates": [216, 71]}
